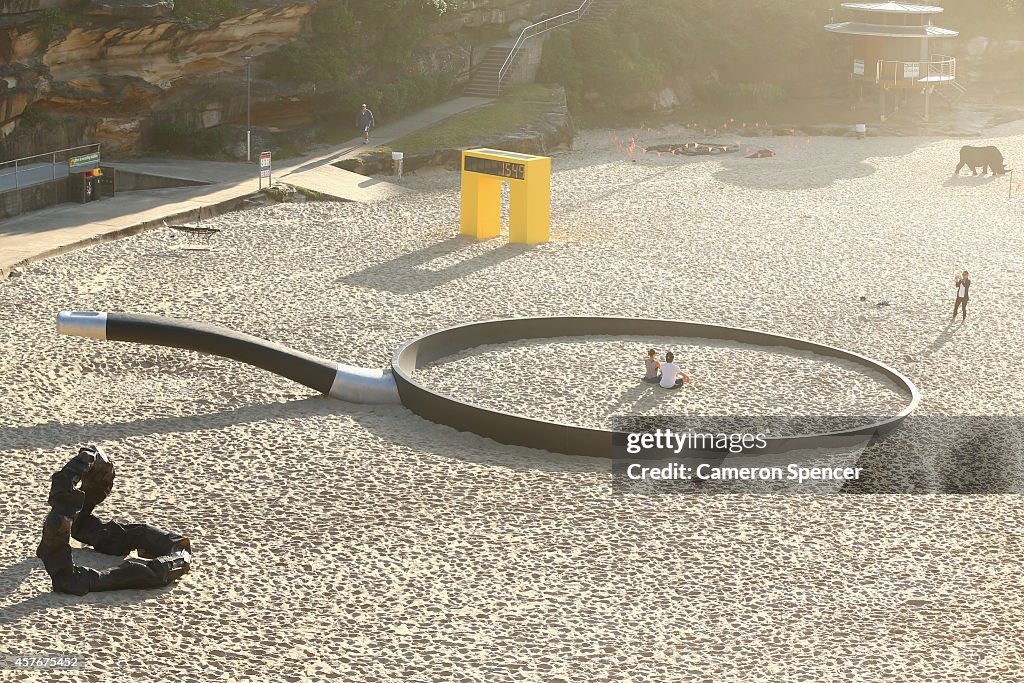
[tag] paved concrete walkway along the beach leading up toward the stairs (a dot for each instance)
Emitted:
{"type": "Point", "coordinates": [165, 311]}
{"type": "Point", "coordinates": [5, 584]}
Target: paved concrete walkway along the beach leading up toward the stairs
{"type": "Point", "coordinates": [61, 229]}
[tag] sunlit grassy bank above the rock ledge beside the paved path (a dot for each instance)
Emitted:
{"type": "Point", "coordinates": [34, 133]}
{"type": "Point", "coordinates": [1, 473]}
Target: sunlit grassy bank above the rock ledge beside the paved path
{"type": "Point", "coordinates": [519, 105]}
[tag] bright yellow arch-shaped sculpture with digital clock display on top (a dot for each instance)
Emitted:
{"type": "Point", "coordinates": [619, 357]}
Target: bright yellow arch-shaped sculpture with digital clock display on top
{"type": "Point", "coordinates": [530, 195]}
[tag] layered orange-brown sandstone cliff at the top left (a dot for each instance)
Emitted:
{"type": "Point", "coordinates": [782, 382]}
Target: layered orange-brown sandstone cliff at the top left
{"type": "Point", "coordinates": [127, 77]}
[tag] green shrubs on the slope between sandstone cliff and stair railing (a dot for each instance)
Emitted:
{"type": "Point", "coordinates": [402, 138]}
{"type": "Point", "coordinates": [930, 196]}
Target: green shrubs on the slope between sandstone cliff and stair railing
{"type": "Point", "coordinates": [349, 35]}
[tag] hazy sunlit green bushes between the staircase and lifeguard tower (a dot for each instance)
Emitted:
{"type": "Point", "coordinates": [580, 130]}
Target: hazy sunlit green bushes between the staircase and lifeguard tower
{"type": "Point", "coordinates": [649, 45]}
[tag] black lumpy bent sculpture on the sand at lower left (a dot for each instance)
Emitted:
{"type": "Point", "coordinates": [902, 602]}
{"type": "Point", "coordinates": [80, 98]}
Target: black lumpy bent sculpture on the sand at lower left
{"type": "Point", "coordinates": [163, 558]}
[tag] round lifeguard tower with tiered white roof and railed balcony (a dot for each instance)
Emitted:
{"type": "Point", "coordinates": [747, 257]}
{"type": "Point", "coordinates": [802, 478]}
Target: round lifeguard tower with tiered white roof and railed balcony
{"type": "Point", "coordinates": [891, 50]}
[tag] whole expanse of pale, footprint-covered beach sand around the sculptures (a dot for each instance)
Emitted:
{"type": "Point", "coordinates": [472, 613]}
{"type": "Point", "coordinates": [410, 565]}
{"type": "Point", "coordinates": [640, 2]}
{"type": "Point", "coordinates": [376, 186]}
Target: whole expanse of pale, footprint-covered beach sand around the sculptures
{"type": "Point", "coordinates": [362, 543]}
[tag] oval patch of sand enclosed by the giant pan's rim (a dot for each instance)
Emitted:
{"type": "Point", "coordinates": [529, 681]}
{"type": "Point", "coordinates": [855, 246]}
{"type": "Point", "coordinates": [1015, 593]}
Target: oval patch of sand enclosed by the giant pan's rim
{"type": "Point", "coordinates": [585, 381]}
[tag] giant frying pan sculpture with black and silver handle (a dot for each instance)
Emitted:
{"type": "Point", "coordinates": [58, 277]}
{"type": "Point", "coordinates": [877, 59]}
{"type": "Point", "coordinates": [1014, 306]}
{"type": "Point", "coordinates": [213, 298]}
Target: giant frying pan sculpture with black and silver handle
{"type": "Point", "coordinates": [399, 385]}
